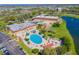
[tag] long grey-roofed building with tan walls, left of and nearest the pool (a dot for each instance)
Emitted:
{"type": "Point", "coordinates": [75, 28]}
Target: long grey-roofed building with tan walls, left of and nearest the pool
{"type": "Point", "coordinates": [17, 29]}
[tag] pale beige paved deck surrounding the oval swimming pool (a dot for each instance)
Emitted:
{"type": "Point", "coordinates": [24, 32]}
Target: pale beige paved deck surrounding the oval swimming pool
{"type": "Point", "coordinates": [51, 42]}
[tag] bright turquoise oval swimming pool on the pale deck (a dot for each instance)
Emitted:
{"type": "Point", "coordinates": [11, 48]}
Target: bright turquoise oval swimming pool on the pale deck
{"type": "Point", "coordinates": [35, 38]}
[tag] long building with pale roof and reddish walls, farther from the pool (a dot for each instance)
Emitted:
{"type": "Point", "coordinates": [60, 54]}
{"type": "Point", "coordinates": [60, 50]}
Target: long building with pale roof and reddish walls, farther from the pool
{"type": "Point", "coordinates": [47, 19]}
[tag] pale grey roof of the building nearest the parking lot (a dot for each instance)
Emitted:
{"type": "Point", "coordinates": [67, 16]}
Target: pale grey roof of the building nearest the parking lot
{"type": "Point", "coordinates": [16, 27]}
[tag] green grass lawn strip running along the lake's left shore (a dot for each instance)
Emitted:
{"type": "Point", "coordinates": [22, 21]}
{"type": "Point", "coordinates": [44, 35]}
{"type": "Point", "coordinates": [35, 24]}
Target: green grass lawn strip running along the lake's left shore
{"type": "Point", "coordinates": [62, 31]}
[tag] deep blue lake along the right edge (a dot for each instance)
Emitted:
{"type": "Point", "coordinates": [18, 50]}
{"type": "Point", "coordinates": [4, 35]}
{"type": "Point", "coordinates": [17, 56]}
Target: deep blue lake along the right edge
{"type": "Point", "coordinates": [73, 27]}
